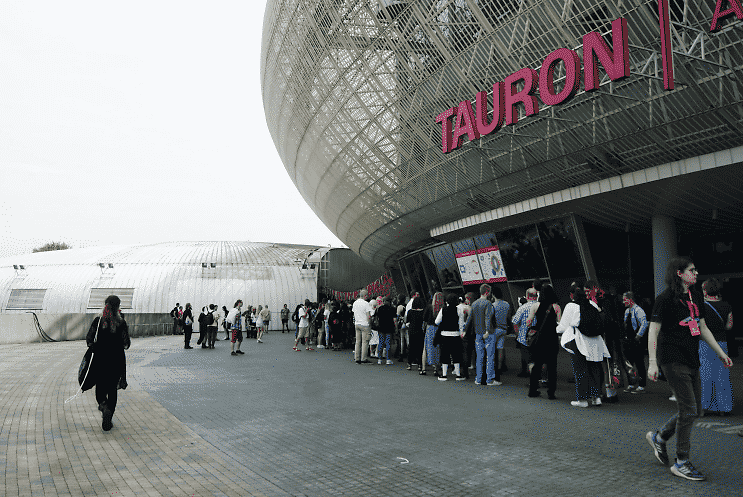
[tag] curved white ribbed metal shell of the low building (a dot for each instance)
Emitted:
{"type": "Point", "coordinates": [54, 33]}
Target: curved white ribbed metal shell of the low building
{"type": "Point", "coordinates": [153, 278]}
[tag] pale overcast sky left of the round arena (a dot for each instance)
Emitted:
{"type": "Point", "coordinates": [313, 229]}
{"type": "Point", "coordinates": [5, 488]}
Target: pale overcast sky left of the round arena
{"type": "Point", "coordinates": [139, 122]}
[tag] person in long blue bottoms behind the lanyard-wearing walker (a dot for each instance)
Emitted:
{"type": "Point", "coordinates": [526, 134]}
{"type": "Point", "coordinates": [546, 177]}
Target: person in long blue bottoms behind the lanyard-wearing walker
{"type": "Point", "coordinates": [717, 391]}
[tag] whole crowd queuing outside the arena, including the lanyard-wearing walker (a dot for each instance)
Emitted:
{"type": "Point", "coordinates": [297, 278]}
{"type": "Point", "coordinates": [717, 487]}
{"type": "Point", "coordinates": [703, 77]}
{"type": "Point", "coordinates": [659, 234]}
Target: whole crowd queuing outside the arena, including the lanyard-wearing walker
{"type": "Point", "coordinates": [604, 337]}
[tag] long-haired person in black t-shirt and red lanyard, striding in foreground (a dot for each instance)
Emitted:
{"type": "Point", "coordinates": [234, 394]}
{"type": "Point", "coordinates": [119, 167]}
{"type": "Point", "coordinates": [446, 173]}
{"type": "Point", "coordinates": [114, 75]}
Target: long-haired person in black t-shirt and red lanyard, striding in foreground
{"type": "Point", "coordinates": [676, 325]}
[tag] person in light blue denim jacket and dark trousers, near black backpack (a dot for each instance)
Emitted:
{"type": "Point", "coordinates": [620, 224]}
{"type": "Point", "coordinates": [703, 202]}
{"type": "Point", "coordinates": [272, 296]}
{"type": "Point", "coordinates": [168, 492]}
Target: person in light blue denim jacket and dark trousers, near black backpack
{"type": "Point", "coordinates": [633, 330]}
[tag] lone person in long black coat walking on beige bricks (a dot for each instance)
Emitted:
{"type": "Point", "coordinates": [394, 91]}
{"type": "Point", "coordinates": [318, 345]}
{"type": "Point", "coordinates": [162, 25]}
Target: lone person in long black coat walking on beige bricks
{"type": "Point", "coordinates": [109, 334]}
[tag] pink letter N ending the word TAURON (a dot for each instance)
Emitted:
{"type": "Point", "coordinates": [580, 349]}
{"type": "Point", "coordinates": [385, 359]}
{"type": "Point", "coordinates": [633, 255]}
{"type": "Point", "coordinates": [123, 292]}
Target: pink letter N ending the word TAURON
{"type": "Point", "coordinates": [615, 62]}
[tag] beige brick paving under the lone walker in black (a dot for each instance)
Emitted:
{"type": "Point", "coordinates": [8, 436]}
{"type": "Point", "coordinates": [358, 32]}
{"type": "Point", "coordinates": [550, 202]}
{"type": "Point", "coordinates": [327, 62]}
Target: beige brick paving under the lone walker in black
{"type": "Point", "coordinates": [53, 448]}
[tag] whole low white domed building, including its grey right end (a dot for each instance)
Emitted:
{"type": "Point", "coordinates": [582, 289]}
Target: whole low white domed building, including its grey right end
{"type": "Point", "coordinates": [55, 295]}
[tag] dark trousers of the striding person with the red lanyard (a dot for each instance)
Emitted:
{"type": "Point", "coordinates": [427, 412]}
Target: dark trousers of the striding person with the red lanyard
{"type": "Point", "coordinates": [686, 386]}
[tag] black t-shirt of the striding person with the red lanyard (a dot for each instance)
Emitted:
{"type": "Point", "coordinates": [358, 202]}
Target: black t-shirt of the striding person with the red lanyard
{"type": "Point", "coordinates": [675, 341]}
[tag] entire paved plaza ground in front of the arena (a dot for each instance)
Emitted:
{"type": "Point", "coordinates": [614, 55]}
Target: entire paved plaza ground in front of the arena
{"type": "Point", "coordinates": [277, 422]}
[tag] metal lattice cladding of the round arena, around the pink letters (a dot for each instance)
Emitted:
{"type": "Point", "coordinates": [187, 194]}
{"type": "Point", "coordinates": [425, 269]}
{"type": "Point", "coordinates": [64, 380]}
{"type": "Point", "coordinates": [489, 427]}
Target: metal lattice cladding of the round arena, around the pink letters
{"type": "Point", "coordinates": [351, 90]}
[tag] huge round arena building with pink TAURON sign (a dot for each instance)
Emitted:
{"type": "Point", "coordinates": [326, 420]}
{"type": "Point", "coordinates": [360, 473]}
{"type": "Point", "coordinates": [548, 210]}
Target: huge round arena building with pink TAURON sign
{"type": "Point", "coordinates": [460, 141]}
